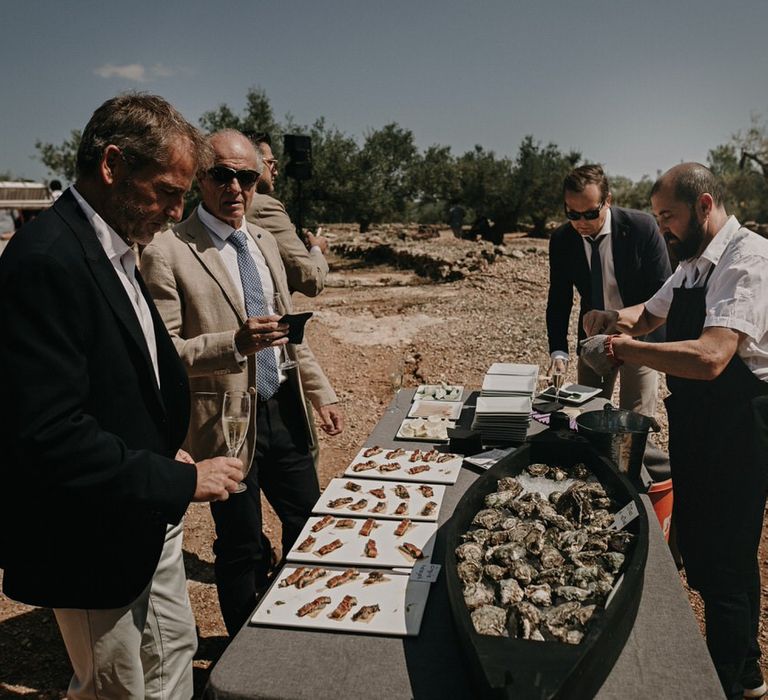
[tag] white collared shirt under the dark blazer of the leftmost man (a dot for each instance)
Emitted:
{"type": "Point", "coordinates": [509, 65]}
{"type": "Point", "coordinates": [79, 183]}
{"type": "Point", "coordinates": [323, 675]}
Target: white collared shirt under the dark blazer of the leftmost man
{"type": "Point", "coordinates": [123, 259]}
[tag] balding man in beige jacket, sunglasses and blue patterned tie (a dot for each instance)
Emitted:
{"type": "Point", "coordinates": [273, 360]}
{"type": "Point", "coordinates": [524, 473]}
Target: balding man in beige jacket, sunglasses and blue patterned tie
{"type": "Point", "coordinates": [213, 278]}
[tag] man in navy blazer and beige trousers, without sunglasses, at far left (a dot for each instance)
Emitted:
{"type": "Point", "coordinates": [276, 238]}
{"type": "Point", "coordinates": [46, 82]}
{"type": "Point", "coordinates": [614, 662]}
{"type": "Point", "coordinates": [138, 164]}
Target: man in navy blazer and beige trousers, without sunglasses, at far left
{"type": "Point", "coordinates": [94, 407]}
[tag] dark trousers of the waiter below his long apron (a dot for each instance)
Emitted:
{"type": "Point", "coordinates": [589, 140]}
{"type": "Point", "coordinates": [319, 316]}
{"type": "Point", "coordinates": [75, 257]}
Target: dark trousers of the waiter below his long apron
{"type": "Point", "coordinates": [732, 620]}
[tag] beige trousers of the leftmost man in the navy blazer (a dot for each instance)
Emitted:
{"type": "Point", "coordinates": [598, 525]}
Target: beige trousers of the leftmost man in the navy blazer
{"type": "Point", "coordinates": [143, 650]}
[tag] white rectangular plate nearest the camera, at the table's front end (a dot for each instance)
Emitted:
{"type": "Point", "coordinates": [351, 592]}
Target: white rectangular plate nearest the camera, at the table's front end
{"type": "Point", "coordinates": [402, 604]}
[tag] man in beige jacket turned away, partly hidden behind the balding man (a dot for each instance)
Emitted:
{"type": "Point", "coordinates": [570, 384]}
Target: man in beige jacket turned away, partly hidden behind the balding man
{"type": "Point", "coordinates": [306, 268]}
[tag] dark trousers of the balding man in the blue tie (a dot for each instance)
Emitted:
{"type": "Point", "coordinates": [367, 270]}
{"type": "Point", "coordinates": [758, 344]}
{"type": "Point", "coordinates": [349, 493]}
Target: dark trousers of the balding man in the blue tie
{"type": "Point", "coordinates": [283, 468]}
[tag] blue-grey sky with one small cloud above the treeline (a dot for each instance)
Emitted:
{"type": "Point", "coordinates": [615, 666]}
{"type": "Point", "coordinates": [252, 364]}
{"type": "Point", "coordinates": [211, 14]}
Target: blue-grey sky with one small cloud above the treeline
{"type": "Point", "coordinates": [637, 86]}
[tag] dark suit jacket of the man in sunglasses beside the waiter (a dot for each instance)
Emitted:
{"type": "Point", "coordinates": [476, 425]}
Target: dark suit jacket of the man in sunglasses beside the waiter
{"type": "Point", "coordinates": [640, 262]}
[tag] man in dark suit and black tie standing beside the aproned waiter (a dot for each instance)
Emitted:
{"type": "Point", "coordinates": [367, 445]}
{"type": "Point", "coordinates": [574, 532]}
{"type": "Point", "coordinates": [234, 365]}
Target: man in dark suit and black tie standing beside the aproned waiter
{"type": "Point", "coordinates": [614, 258]}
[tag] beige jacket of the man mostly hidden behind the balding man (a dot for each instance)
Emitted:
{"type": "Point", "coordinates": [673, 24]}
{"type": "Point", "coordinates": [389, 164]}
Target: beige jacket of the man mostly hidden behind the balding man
{"type": "Point", "coordinates": [306, 270]}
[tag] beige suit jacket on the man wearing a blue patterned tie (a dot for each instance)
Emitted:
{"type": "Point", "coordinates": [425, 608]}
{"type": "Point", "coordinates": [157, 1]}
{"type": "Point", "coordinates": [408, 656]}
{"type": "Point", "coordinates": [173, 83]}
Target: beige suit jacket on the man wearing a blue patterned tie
{"type": "Point", "coordinates": [202, 308]}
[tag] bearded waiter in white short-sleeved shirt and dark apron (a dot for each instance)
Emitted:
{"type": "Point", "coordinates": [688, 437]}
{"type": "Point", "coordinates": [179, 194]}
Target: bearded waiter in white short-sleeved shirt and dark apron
{"type": "Point", "coordinates": [716, 360]}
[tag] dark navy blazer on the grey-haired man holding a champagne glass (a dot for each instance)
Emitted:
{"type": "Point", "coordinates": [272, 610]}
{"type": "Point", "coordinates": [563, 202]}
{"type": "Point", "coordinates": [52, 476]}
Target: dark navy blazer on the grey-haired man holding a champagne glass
{"type": "Point", "coordinates": [87, 438]}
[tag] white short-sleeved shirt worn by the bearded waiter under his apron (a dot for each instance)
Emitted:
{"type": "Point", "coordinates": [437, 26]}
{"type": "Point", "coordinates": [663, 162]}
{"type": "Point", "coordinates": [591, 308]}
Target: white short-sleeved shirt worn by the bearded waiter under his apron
{"type": "Point", "coordinates": [737, 291]}
